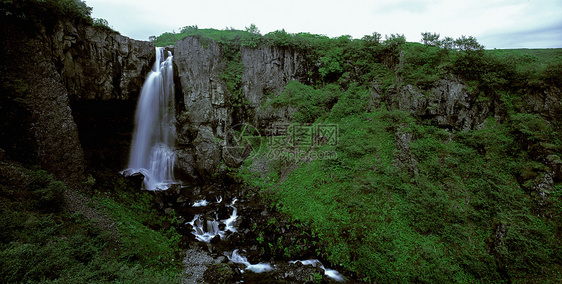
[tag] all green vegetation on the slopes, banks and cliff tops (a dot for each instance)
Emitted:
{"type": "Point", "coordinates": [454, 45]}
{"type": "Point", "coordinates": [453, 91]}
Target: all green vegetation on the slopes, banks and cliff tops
{"type": "Point", "coordinates": [404, 201]}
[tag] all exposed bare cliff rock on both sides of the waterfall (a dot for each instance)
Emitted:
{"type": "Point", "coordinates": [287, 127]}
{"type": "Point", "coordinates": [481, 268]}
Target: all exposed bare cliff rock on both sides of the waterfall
{"type": "Point", "coordinates": [70, 91]}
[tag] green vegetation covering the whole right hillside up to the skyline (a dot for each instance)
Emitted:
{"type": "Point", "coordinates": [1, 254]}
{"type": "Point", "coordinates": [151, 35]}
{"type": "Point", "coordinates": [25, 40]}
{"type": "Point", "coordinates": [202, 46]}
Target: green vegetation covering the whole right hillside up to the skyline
{"type": "Point", "coordinates": [454, 206]}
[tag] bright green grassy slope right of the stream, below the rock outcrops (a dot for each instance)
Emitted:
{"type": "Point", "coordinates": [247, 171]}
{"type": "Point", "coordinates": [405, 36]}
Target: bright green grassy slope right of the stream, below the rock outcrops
{"type": "Point", "coordinates": [433, 221]}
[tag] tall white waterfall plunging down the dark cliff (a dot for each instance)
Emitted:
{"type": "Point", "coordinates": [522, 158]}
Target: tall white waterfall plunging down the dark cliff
{"type": "Point", "coordinates": [154, 137]}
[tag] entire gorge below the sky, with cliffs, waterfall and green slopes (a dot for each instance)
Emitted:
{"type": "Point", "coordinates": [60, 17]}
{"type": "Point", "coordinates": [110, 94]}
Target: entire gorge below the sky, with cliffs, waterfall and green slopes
{"type": "Point", "coordinates": [448, 161]}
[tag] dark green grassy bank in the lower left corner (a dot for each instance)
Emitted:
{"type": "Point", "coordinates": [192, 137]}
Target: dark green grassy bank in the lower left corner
{"type": "Point", "coordinates": [41, 241]}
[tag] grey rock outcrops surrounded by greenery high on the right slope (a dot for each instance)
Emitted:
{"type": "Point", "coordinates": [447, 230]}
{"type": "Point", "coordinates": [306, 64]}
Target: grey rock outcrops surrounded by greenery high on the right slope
{"type": "Point", "coordinates": [450, 104]}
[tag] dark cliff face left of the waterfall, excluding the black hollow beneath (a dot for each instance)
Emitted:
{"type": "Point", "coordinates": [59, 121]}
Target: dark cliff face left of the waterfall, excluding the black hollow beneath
{"type": "Point", "coordinates": [47, 69]}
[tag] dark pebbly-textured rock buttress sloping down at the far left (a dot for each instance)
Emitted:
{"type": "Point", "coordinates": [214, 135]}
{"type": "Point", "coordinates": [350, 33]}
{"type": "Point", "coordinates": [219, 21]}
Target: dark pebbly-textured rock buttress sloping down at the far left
{"type": "Point", "coordinates": [53, 132]}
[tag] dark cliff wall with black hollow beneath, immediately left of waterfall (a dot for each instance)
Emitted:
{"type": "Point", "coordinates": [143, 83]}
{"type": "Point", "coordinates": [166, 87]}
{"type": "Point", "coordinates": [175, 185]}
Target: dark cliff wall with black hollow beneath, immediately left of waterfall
{"type": "Point", "coordinates": [103, 73]}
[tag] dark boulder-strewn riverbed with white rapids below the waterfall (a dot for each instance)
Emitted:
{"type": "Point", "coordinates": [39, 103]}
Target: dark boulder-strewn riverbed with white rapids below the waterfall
{"type": "Point", "coordinates": [245, 240]}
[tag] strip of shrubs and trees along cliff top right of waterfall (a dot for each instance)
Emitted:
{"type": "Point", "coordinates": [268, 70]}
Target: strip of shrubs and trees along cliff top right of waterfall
{"type": "Point", "coordinates": [344, 60]}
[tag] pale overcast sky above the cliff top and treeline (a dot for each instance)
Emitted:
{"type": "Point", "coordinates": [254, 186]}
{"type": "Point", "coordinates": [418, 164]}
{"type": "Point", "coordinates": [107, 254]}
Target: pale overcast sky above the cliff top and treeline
{"type": "Point", "coordinates": [495, 23]}
